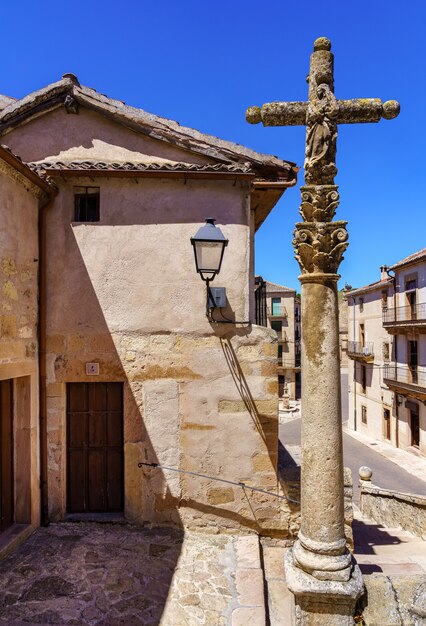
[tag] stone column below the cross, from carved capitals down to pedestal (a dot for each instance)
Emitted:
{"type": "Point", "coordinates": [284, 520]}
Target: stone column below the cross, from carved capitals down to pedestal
{"type": "Point", "coordinates": [320, 570]}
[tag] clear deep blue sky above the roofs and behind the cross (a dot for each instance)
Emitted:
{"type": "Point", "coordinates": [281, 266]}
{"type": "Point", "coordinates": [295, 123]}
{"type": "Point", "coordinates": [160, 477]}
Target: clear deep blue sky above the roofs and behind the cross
{"type": "Point", "coordinates": [202, 63]}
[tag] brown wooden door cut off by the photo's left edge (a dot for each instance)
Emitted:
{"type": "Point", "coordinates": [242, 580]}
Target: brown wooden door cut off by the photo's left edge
{"type": "Point", "coordinates": [7, 496]}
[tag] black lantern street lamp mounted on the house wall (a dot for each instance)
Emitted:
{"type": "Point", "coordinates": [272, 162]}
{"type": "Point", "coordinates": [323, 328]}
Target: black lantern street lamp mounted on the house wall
{"type": "Point", "coordinates": [209, 245]}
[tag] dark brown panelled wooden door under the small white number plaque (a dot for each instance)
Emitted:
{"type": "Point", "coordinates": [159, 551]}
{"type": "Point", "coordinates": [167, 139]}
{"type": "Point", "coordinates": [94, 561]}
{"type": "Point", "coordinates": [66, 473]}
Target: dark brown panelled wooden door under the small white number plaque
{"type": "Point", "coordinates": [95, 447]}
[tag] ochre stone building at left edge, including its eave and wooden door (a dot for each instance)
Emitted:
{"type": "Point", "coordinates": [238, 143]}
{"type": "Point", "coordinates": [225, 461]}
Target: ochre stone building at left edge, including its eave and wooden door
{"type": "Point", "coordinates": [23, 194]}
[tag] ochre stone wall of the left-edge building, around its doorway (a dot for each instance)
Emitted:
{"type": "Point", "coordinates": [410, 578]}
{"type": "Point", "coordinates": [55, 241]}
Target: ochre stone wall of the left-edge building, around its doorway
{"type": "Point", "coordinates": [18, 345]}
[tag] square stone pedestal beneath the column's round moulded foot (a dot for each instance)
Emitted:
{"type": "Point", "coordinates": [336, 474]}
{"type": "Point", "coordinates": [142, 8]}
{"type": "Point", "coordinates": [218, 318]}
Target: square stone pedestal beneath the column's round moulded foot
{"type": "Point", "coordinates": [322, 602]}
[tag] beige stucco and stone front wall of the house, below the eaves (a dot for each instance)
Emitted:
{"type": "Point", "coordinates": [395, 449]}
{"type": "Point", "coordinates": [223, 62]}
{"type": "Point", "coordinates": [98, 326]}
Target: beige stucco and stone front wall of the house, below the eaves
{"type": "Point", "coordinates": [200, 397]}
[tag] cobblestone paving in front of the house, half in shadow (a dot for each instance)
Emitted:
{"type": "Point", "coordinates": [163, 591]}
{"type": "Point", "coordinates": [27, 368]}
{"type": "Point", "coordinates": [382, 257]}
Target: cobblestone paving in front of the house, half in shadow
{"type": "Point", "coordinates": [111, 575]}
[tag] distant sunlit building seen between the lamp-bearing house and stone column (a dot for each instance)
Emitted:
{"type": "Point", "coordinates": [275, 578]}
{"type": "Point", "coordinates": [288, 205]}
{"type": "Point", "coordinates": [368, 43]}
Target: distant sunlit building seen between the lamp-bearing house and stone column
{"type": "Point", "coordinates": [283, 314]}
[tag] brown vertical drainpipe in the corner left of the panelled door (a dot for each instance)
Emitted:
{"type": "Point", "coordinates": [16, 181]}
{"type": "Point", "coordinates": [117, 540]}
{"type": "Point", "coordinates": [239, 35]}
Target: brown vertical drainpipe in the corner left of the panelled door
{"type": "Point", "coordinates": [44, 509]}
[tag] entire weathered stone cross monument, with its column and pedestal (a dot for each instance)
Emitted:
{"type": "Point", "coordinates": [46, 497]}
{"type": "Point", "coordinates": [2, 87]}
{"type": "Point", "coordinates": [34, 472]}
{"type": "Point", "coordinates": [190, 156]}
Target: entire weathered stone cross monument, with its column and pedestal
{"type": "Point", "coordinates": [320, 571]}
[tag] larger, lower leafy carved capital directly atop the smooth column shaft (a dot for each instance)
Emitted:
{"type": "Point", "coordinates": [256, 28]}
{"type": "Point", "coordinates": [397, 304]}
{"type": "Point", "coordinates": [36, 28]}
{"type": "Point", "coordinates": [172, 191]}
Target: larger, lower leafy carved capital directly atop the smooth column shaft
{"type": "Point", "coordinates": [319, 246]}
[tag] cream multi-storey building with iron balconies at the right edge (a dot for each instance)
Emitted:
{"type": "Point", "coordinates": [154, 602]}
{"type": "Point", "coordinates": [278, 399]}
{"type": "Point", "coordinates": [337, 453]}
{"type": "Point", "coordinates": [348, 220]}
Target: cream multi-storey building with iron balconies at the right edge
{"type": "Point", "coordinates": [387, 351]}
